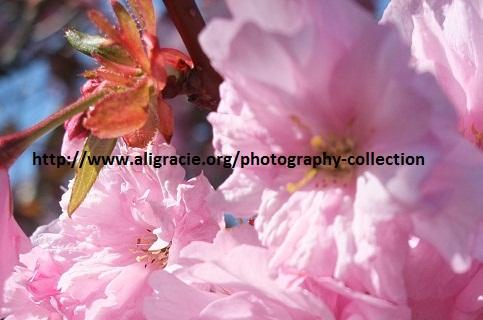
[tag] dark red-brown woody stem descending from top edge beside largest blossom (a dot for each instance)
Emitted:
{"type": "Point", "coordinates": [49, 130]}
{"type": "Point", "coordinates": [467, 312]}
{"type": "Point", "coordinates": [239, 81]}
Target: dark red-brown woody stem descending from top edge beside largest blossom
{"type": "Point", "coordinates": [203, 81]}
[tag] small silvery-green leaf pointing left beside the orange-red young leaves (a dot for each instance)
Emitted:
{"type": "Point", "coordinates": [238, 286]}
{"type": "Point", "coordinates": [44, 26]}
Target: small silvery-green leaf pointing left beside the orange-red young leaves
{"type": "Point", "coordinates": [96, 45]}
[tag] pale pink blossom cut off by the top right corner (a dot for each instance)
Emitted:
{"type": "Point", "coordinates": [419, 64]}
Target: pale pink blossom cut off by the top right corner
{"type": "Point", "coordinates": [445, 39]}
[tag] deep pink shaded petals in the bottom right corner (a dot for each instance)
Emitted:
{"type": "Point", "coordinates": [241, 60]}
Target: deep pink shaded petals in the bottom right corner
{"type": "Point", "coordinates": [436, 292]}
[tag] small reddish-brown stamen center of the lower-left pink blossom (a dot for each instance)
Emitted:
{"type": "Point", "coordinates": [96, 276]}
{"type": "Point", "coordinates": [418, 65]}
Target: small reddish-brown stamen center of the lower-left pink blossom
{"type": "Point", "coordinates": [151, 250]}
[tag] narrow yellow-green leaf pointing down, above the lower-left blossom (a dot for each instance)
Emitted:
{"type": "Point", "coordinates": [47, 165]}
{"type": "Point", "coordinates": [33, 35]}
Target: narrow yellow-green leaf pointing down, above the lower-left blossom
{"type": "Point", "coordinates": [86, 174]}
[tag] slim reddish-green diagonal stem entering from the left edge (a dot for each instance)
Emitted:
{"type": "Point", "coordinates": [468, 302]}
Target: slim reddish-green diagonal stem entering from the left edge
{"type": "Point", "coordinates": [13, 145]}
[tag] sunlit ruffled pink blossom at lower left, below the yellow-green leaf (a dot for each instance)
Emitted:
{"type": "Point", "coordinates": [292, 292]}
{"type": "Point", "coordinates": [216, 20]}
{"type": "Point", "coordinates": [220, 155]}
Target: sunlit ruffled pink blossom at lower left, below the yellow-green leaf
{"type": "Point", "coordinates": [95, 265]}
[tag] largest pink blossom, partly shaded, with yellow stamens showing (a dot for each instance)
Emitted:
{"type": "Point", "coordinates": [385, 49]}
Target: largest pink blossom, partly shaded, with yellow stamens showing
{"type": "Point", "coordinates": [343, 88]}
